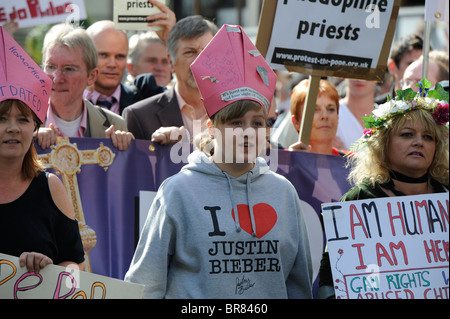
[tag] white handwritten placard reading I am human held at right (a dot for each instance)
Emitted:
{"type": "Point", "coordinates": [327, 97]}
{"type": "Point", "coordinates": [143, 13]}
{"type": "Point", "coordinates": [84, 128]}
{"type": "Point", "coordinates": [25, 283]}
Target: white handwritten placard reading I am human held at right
{"type": "Point", "coordinates": [389, 248]}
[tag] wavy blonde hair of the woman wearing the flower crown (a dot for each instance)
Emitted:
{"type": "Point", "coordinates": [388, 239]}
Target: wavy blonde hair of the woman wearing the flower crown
{"type": "Point", "coordinates": [370, 163]}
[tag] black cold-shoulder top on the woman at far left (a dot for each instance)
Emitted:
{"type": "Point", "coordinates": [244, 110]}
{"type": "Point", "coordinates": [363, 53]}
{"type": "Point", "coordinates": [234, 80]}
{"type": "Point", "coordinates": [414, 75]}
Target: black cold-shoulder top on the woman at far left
{"type": "Point", "coordinates": [33, 223]}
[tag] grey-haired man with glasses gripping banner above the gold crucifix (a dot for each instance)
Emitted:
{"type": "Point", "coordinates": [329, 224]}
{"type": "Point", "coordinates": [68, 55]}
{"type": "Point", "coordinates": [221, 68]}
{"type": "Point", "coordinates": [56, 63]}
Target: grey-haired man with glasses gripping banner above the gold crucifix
{"type": "Point", "coordinates": [70, 59]}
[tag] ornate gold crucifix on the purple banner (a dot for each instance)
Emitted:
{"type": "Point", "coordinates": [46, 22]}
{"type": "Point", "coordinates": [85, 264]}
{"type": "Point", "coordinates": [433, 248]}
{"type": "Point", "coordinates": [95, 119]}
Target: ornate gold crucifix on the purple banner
{"type": "Point", "coordinates": [66, 159]}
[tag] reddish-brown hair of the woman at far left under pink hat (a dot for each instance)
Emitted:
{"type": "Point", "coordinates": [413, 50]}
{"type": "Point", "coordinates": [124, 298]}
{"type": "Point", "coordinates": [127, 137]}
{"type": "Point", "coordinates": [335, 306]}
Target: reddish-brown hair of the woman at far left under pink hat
{"type": "Point", "coordinates": [31, 164]}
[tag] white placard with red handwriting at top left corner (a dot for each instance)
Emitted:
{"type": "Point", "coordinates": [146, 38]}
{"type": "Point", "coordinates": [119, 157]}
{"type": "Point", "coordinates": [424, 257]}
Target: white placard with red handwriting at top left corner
{"type": "Point", "coordinates": [29, 13]}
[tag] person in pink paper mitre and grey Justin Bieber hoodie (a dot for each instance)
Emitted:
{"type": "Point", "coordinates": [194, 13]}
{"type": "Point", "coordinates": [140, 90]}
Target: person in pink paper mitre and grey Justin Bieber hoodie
{"type": "Point", "coordinates": [237, 240]}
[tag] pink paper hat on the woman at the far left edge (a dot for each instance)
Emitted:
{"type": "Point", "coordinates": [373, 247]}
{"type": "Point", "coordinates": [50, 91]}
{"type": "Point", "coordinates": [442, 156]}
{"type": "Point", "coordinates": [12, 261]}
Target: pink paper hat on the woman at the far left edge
{"type": "Point", "coordinates": [21, 78]}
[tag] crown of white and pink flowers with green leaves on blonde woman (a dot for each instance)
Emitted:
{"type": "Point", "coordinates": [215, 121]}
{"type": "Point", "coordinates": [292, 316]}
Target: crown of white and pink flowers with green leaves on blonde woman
{"type": "Point", "coordinates": [435, 101]}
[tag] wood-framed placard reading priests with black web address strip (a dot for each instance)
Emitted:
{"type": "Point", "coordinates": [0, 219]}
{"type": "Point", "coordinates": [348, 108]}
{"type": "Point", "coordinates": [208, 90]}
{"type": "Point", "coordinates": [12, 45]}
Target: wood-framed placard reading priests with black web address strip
{"type": "Point", "coordinates": [349, 39]}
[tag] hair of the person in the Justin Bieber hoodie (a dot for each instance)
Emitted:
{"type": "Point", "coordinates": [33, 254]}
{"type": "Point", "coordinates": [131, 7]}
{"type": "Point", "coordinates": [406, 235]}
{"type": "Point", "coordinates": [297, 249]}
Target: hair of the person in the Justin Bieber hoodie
{"type": "Point", "coordinates": [204, 142]}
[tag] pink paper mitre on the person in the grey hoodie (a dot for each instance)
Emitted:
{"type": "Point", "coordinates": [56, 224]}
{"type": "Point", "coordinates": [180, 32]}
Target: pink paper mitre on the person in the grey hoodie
{"type": "Point", "coordinates": [230, 69]}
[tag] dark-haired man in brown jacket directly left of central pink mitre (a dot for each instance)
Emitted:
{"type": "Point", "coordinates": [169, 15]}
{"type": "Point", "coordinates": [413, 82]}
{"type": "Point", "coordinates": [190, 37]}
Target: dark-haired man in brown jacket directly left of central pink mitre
{"type": "Point", "coordinates": [170, 113]}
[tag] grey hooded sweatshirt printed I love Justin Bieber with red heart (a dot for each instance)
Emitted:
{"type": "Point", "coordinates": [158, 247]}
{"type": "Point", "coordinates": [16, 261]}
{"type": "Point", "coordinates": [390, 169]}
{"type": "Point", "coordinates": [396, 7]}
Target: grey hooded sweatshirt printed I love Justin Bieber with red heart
{"type": "Point", "coordinates": [194, 245]}
